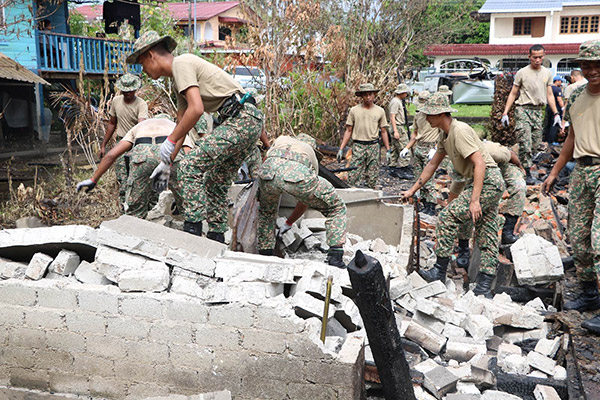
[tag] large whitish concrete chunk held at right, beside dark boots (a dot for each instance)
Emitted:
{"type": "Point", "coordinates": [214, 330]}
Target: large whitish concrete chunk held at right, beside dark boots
{"type": "Point", "coordinates": [536, 260]}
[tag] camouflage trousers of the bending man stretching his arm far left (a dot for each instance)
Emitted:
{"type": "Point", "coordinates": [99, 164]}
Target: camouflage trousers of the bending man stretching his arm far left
{"type": "Point", "coordinates": [140, 198]}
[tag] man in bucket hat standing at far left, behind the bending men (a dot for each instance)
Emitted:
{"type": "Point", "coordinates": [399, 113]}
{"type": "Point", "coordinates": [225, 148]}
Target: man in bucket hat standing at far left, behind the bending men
{"type": "Point", "coordinates": [126, 110]}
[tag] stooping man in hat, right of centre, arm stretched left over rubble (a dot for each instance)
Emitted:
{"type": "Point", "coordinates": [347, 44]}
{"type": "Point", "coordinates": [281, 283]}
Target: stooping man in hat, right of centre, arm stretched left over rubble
{"type": "Point", "coordinates": [478, 202]}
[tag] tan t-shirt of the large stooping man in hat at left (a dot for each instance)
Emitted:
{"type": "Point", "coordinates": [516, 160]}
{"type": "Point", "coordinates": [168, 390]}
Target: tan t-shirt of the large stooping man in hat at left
{"type": "Point", "coordinates": [215, 85]}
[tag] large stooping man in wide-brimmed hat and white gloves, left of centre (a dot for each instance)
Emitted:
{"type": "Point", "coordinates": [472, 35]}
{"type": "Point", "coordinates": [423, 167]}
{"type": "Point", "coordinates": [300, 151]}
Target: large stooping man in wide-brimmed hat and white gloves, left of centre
{"type": "Point", "coordinates": [204, 87]}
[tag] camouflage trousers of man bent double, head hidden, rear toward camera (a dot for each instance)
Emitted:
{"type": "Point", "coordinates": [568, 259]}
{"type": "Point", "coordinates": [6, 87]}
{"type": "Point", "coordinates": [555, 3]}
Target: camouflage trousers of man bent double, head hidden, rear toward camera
{"type": "Point", "coordinates": [299, 180]}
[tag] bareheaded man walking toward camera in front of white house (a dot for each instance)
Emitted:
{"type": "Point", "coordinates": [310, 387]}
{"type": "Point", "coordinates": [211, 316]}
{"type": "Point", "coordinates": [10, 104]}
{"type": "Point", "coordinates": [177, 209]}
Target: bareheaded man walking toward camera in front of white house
{"type": "Point", "coordinates": [533, 87]}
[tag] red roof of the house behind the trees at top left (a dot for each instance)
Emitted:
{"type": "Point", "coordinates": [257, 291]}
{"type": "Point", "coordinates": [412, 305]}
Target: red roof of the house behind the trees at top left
{"type": "Point", "coordinates": [179, 11]}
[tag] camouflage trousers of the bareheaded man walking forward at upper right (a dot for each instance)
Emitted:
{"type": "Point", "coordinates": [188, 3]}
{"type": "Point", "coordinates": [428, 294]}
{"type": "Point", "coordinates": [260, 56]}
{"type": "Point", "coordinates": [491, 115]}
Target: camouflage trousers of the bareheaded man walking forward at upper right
{"type": "Point", "coordinates": [529, 125]}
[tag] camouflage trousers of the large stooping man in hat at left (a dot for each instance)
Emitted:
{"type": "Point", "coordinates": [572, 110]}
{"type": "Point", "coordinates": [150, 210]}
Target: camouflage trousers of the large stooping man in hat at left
{"type": "Point", "coordinates": [216, 159]}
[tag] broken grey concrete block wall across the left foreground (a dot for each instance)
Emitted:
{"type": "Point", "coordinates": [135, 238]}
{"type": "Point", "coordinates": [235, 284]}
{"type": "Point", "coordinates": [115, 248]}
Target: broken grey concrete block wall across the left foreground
{"type": "Point", "coordinates": [90, 340]}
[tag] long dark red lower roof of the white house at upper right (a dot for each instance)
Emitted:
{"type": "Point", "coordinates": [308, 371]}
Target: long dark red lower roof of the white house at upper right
{"type": "Point", "coordinates": [497, 49]}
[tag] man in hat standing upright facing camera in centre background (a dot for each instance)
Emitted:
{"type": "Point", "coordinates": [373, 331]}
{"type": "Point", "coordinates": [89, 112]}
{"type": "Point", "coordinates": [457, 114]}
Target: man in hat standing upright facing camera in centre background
{"type": "Point", "coordinates": [364, 124]}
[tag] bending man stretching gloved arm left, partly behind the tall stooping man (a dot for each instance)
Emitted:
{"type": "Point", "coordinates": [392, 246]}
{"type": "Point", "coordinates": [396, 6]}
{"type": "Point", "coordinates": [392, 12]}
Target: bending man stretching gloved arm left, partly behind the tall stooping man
{"type": "Point", "coordinates": [143, 140]}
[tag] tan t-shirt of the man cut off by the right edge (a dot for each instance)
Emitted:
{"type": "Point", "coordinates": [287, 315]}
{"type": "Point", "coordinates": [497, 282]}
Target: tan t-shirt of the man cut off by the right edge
{"type": "Point", "coordinates": [583, 112]}
